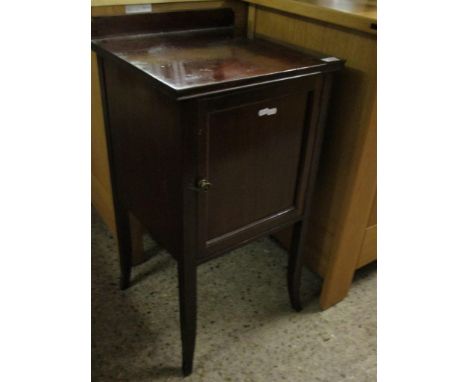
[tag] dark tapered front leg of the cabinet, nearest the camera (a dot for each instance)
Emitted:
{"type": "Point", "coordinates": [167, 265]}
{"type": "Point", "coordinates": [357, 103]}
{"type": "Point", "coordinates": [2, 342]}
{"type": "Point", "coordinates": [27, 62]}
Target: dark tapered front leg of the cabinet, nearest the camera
{"type": "Point", "coordinates": [188, 313]}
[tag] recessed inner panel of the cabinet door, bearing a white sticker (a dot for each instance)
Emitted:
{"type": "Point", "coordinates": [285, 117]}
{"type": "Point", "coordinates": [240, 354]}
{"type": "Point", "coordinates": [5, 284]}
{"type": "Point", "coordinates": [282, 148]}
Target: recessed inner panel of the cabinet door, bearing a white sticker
{"type": "Point", "coordinates": [253, 161]}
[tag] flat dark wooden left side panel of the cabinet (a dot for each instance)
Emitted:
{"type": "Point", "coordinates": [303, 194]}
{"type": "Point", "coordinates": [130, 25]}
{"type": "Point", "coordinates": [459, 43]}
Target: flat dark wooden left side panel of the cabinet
{"type": "Point", "coordinates": [146, 149]}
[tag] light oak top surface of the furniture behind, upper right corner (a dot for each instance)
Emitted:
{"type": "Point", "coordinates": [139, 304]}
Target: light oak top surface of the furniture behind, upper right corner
{"type": "Point", "coordinates": [355, 14]}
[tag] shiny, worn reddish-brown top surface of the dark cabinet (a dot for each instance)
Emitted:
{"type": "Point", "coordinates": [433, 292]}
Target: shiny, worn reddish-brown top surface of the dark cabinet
{"type": "Point", "coordinates": [192, 59]}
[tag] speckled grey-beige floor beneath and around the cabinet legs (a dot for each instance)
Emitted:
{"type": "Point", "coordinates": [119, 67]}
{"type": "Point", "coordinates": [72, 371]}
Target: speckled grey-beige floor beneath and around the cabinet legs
{"type": "Point", "coordinates": [246, 328]}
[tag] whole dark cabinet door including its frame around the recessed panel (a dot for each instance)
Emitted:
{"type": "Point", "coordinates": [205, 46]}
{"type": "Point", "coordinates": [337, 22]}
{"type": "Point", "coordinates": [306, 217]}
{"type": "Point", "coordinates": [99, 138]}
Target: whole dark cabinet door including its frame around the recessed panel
{"type": "Point", "coordinates": [252, 154]}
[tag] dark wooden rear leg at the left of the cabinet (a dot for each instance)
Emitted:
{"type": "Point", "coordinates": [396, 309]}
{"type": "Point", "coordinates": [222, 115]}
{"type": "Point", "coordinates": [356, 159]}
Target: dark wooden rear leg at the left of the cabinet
{"type": "Point", "coordinates": [124, 238]}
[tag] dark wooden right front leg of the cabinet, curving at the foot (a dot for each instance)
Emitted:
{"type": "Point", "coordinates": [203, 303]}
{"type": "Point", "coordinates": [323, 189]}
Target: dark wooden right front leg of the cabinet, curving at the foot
{"type": "Point", "coordinates": [295, 267]}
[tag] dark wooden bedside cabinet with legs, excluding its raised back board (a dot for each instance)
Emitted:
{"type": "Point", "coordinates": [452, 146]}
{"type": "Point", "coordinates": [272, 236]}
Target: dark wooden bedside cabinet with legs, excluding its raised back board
{"type": "Point", "coordinates": [244, 116]}
